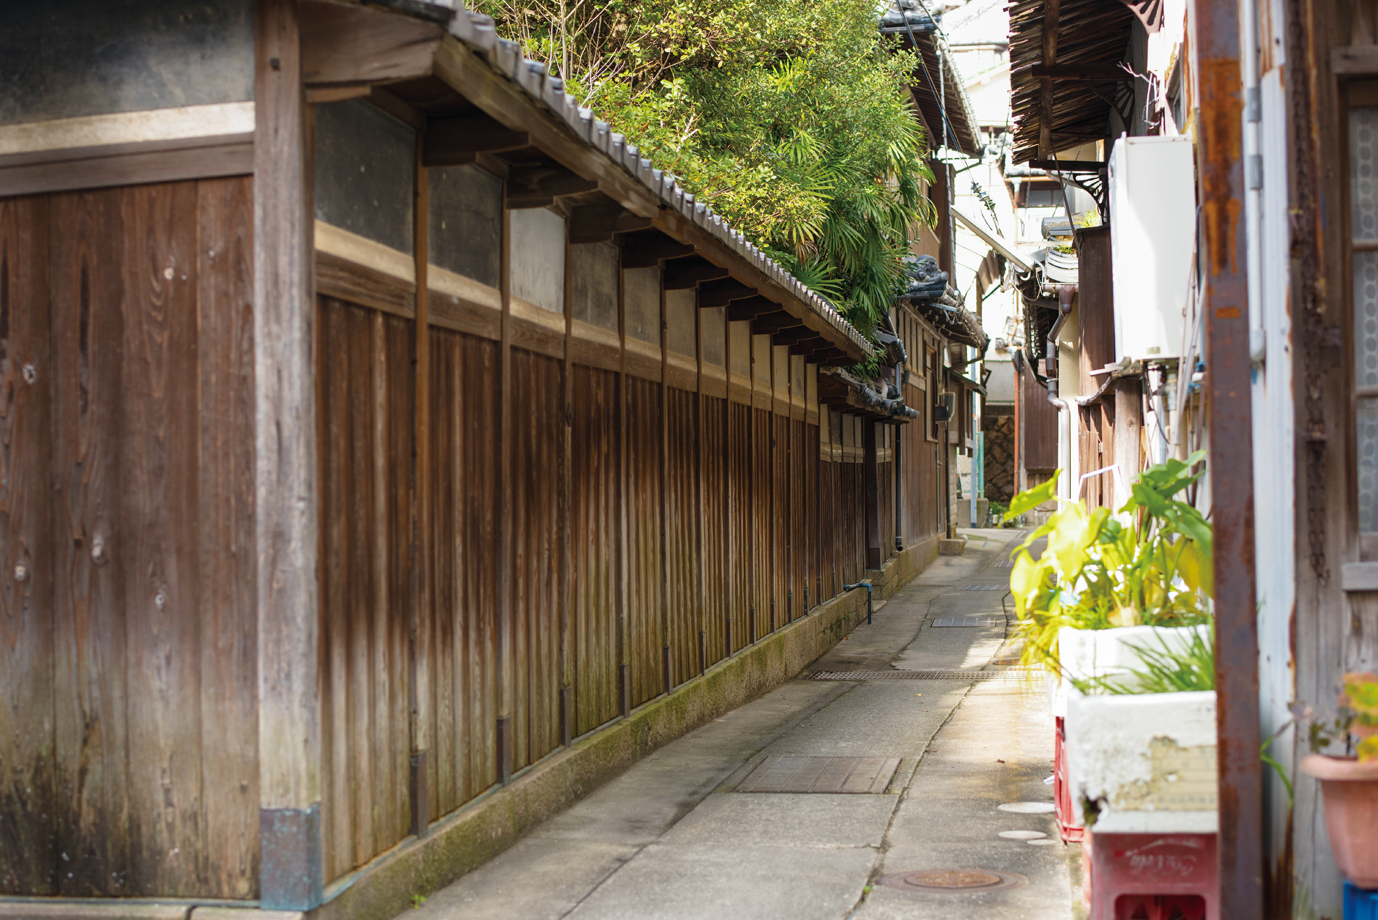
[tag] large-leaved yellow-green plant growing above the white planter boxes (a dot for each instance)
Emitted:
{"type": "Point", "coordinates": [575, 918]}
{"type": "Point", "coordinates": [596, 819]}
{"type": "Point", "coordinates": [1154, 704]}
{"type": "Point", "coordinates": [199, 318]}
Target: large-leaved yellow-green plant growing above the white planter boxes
{"type": "Point", "coordinates": [1099, 572]}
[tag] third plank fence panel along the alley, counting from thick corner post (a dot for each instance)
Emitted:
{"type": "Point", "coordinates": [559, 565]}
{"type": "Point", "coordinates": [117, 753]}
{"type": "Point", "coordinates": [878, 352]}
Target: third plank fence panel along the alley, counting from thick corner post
{"type": "Point", "coordinates": [538, 443]}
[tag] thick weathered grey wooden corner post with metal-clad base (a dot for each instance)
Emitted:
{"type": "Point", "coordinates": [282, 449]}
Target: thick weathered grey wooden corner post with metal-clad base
{"type": "Point", "coordinates": [286, 470]}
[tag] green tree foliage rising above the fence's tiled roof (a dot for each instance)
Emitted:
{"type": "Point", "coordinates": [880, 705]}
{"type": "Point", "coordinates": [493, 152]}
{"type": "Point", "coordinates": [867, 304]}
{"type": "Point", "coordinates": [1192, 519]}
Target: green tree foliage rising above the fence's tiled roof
{"type": "Point", "coordinates": [790, 119]}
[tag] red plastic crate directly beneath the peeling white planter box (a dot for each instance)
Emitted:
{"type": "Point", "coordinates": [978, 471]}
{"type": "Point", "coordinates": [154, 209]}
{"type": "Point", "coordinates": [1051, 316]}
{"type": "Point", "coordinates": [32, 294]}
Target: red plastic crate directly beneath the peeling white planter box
{"type": "Point", "coordinates": [1151, 877]}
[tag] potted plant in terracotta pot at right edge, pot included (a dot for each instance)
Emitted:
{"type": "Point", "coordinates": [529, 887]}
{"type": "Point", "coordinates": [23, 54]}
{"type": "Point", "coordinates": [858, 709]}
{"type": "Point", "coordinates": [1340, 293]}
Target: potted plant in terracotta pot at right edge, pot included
{"type": "Point", "coordinates": [1350, 783]}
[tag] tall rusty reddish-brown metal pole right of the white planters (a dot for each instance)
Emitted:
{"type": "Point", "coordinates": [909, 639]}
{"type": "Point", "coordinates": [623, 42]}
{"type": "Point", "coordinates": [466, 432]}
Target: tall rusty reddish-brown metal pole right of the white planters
{"type": "Point", "coordinates": [1223, 247]}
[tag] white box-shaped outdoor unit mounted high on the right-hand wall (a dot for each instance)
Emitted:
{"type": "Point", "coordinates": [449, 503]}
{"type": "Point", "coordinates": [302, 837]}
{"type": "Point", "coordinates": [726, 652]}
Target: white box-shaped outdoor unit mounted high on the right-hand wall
{"type": "Point", "coordinates": [1153, 229]}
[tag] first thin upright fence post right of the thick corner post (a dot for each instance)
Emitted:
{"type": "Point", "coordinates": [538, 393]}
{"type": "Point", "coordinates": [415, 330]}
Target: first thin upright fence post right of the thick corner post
{"type": "Point", "coordinates": [421, 615]}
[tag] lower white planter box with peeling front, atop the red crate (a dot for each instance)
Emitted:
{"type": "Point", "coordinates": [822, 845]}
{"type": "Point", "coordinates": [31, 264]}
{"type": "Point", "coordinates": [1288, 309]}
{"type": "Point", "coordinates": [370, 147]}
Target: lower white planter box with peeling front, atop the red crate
{"type": "Point", "coordinates": [1147, 761]}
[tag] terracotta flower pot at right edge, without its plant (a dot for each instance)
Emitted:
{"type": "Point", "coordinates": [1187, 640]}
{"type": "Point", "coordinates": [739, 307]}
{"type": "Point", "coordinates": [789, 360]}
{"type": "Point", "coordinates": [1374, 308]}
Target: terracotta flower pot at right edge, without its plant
{"type": "Point", "coordinates": [1351, 794]}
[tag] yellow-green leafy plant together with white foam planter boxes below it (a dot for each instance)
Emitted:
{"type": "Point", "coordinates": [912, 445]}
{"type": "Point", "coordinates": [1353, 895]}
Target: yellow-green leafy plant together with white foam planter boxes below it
{"type": "Point", "coordinates": [1109, 594]}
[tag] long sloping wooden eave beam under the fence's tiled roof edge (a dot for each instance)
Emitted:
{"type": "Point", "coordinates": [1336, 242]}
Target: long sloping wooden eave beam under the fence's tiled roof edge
{"type": "Point", "coordinates": [460, 67]}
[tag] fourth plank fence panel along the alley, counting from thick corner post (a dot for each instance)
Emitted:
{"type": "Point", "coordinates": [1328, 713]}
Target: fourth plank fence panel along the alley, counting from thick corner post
{"type": "Point", "coordinates": [595, 528]}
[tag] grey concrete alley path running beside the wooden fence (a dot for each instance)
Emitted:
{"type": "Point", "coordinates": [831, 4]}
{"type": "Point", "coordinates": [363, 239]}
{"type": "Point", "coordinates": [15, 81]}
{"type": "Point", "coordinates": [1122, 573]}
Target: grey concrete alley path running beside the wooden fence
{"type": "Point", "coordinates": [673, 839]}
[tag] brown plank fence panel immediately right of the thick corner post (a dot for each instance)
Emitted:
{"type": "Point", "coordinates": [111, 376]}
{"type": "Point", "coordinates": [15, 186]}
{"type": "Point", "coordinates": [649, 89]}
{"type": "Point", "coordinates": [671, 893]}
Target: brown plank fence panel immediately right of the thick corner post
{"type": "Point", "coordinates": [366, 451]}
